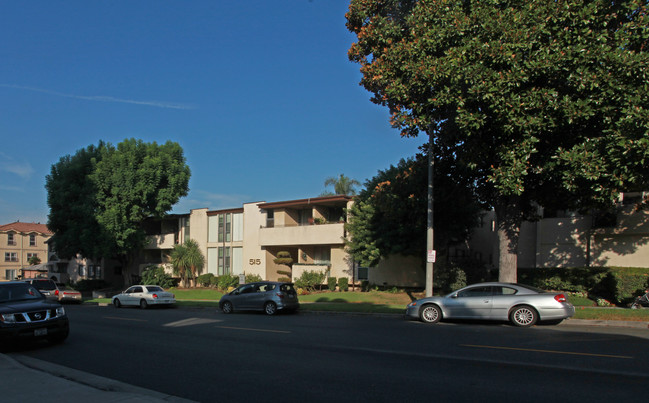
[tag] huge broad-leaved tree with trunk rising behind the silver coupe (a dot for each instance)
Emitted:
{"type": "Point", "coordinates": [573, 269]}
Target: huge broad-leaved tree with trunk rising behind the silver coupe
{"type": "Point", "coordinates": [546, 102]}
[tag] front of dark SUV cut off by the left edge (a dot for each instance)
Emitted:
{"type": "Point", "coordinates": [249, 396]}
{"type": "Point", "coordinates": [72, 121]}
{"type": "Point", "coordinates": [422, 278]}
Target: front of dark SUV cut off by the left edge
{"type": "Point", "coordinates": [26, 314]}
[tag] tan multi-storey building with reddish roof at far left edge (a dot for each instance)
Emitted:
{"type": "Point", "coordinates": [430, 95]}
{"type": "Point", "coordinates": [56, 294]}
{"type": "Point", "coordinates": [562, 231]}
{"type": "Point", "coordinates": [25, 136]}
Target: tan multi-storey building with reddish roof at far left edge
{"type": "Point", "coordinates": [19, 241]}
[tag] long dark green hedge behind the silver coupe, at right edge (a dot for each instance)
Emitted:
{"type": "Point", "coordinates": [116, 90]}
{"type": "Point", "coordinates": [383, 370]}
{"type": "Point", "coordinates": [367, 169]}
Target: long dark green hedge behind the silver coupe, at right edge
{"type": "Point", "coordinates": [618, 285]}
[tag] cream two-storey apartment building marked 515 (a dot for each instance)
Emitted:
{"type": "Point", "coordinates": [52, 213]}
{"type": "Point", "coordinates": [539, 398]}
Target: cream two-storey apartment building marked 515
{"type": "Point", "coordinates": [247, 240]}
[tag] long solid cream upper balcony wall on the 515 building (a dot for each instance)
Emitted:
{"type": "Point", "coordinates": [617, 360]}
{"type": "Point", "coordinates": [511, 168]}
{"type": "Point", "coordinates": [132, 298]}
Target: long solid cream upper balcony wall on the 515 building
{"type": "Point", "coordinates": [325, 234]}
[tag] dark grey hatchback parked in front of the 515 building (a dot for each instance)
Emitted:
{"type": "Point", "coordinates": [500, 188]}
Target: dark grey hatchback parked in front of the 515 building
{"type": "Point", "coordinates": [266, 296]}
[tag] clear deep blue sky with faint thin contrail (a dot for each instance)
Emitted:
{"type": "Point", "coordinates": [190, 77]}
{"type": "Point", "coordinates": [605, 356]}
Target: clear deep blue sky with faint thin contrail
{"type": "Point", "coordinates": [259, 93]}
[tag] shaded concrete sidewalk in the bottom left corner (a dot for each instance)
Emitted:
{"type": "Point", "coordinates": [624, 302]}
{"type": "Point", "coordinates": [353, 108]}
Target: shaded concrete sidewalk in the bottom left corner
{"type": "Point", "coordinates": [32, 380]}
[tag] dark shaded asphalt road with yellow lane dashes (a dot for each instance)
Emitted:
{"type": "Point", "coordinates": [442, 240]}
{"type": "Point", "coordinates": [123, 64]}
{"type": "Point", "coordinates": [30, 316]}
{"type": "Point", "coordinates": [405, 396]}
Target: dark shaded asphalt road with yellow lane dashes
{"type": "Point", "coordinates": [206, 356]}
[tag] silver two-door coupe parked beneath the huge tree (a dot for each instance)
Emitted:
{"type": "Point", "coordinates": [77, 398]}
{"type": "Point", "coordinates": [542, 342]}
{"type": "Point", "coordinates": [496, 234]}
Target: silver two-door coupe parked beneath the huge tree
{"type": "Point", "coordinates": [522, 305]}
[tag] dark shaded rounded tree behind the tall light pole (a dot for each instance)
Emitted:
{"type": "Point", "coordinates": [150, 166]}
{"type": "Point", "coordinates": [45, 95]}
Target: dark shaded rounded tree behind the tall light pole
{"type": "Point", "coordinates": [388, 216]}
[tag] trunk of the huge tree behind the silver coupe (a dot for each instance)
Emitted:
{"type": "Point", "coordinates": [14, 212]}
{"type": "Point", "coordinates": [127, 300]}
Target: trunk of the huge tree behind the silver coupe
{"type": "Point", "coordinates": [509, 219]}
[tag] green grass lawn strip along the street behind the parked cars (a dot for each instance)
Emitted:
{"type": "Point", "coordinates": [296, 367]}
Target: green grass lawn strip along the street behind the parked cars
{"type": "Point", "coordinates": [383, 302]}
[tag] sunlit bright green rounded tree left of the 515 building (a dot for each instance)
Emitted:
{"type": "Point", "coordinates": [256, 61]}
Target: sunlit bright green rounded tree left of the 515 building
{"type": "Point", "coordinates": [135, 181]}
